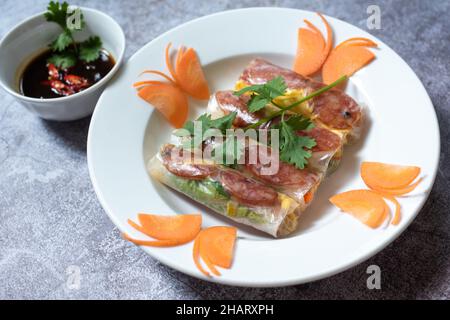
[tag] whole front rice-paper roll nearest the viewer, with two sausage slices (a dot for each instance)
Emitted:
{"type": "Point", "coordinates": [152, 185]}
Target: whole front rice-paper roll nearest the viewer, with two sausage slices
{"type": "Point", "coordinates": [225, 190]}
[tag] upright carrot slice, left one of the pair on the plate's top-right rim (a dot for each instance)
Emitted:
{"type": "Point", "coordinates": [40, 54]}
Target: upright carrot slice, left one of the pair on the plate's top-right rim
{"type": "Point", "coordinates": [312, 50]}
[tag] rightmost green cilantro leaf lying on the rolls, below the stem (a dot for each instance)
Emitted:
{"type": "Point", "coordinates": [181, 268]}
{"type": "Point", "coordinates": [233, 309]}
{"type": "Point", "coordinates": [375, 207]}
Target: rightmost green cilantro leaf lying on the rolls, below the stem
{"type": "Point", "coordinates": [293, 148]}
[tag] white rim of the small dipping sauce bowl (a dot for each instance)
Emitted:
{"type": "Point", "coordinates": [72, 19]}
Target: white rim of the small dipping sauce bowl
{"type": "Point", "coordinates": [104, 80]}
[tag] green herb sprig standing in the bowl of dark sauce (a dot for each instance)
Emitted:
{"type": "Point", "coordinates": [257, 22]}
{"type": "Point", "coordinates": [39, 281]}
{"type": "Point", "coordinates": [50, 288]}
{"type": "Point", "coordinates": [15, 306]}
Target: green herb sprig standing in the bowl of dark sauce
{"type": "Point", "coordinates": [66, 51]}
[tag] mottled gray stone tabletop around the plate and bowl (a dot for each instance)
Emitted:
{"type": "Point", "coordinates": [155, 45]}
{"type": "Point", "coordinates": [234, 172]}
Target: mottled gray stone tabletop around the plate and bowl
{"type": "Point", "coordinates": [50, 218]}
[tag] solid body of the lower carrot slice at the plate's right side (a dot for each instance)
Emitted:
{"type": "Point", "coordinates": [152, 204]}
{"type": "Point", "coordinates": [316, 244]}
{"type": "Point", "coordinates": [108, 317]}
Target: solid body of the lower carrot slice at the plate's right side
{"type": "Point", "coordinates": [367, 206]}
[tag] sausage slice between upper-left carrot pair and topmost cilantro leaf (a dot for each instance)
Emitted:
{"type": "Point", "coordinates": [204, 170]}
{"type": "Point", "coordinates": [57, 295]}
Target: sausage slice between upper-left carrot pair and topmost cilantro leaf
{"type": "Point", "coordinates": [228, 102]}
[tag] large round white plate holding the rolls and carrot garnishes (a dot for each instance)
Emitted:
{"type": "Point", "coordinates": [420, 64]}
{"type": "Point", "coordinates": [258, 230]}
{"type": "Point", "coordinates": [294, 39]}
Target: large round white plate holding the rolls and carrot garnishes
{"type": "Point", "coordinates": [125, 132]}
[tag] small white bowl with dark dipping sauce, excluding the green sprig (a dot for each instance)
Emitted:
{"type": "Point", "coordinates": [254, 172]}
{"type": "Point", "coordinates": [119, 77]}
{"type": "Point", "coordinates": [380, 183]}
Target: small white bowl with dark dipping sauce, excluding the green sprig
{"type": "Point", "coordinates": [28, 43]}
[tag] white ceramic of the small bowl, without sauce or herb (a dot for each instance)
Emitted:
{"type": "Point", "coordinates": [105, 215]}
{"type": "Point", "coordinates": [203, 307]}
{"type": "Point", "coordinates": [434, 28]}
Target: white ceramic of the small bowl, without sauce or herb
{"type": "Point", "coordinates": [31, 37]}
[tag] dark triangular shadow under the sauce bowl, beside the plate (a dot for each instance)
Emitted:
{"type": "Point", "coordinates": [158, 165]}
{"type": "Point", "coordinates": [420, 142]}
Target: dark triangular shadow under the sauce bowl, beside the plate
{"type": "Point", "coordinates": [72, 133]}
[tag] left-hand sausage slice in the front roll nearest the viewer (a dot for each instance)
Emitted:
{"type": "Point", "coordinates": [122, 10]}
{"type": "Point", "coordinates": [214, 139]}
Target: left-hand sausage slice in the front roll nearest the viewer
{"type": "Point", "coordinates": [175, 162]}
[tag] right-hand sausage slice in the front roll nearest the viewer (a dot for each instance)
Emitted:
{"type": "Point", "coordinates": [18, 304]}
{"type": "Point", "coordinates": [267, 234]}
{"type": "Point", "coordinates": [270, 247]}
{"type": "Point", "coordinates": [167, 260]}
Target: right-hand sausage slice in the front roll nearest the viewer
{"type": "Point", "coordinates": [248, 191]}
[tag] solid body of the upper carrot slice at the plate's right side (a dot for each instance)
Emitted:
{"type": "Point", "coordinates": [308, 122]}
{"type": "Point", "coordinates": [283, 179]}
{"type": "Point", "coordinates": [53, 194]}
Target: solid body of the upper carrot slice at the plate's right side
{"type": "Point", "coordinates": [388, 176]}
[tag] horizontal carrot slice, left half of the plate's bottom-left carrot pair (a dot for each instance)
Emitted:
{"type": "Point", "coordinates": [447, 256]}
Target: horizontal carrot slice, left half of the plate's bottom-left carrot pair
{"type": "Point", "coordinates": [167, 230]}
